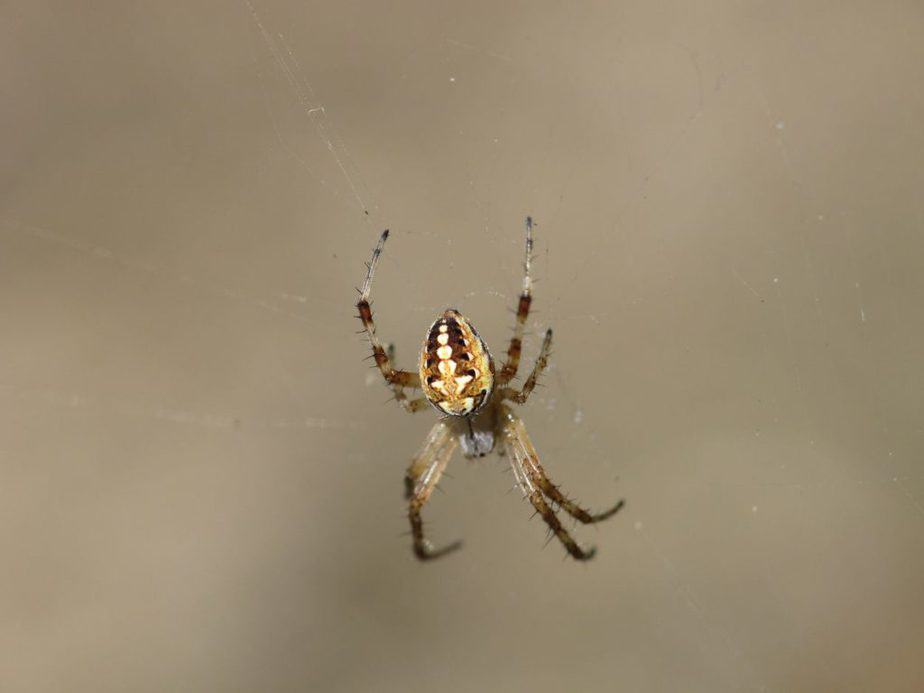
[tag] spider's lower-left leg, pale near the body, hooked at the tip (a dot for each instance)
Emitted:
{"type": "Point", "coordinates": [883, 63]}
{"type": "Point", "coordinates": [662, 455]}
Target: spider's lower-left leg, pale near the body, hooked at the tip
{"type": "Point", "coordinates": [422, 476]}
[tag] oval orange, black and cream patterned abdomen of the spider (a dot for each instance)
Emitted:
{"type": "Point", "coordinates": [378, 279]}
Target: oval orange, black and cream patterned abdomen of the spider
{"type": "Point", "coordinates": [456, 370]}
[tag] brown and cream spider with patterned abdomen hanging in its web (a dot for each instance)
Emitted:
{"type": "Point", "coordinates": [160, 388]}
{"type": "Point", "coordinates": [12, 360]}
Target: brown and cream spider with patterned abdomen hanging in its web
{"type": "Point", "coordinates": [458, 378]}
